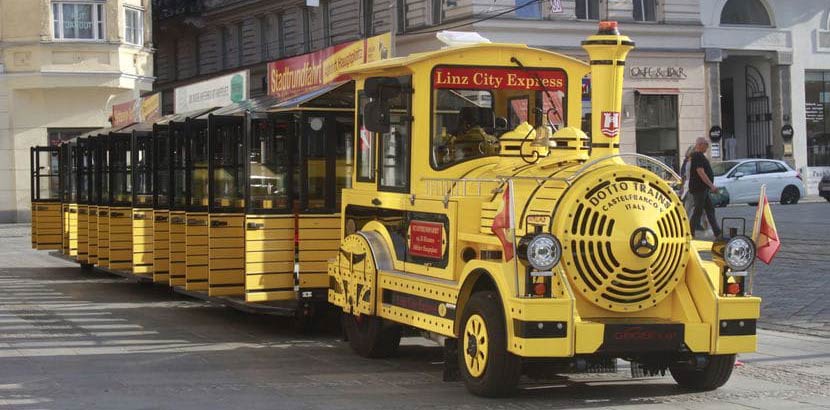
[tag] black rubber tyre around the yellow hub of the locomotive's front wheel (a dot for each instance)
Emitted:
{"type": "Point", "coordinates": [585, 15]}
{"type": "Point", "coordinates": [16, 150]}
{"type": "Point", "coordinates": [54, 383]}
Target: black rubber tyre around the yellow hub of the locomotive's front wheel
{"type": "Point", "coordinates": [502, 368]}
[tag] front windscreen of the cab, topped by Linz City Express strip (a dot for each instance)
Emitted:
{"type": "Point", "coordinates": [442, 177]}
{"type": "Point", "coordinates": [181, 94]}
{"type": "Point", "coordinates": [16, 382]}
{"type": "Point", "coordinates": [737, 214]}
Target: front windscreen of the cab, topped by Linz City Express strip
{"type": "Point", "coordinates": [473, 106]}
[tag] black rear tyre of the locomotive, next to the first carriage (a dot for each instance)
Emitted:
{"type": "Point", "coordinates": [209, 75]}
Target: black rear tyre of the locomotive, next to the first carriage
{"type": "Point", "coordinates": [371, 336]}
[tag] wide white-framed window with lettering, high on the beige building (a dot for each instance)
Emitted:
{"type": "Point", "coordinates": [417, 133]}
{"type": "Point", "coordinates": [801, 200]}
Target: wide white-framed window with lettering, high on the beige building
{"type": "Point", "coordinates": [78, 21]}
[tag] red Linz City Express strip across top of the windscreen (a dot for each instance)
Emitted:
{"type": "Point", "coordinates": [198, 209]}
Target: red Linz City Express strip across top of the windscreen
{"type": "Point", "coordinates": [481, 78]}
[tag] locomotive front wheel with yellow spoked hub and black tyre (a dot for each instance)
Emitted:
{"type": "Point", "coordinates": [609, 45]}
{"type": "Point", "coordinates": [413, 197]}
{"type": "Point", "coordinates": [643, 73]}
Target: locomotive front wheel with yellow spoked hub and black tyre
{"type": "Point", "coordinates": [488, 369]}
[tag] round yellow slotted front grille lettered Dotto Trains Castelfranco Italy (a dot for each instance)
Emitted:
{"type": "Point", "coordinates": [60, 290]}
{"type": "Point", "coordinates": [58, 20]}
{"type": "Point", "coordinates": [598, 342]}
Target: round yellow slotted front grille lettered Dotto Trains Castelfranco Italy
{"type": "Point", "coordinates": [625, 238]}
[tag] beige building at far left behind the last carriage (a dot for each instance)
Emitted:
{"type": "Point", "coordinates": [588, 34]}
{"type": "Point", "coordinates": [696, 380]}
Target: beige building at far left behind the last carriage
{"type": "Point", "coordinates": [63, 64]}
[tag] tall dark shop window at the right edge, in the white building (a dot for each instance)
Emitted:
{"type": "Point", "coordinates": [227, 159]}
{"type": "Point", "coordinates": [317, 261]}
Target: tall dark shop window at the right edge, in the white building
{"type": "Point", "coordinates": [817, 110]}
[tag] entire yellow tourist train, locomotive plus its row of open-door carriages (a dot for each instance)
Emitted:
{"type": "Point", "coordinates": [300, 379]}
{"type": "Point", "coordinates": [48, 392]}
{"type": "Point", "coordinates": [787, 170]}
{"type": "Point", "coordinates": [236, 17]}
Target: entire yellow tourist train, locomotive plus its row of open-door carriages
{"type": "Point", "coordinates": [452, 192]}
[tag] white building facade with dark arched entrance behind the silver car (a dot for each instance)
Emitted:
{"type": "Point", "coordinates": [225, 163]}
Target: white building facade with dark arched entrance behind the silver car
{"type": "Point", "coordinates": [768, 68]}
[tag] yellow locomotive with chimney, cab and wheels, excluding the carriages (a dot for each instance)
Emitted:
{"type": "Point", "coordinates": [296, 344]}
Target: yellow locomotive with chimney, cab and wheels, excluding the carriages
{"type": "Point", "coordinates": [439, 204]}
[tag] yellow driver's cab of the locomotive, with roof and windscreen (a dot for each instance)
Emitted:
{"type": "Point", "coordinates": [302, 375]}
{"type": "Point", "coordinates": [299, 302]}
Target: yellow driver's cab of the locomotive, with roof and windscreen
{"type": "Point", "coordinates": [457, 113]}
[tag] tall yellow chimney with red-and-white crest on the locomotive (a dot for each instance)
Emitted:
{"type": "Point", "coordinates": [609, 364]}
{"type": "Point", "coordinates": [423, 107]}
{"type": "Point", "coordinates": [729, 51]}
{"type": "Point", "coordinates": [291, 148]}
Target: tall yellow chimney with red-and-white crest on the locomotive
{"type": "Point", "coordinates": [607, 51]}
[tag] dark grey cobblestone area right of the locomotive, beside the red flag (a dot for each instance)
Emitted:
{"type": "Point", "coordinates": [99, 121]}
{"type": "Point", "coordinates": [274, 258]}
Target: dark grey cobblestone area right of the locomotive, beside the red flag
{"type": "Point", "coordinates": [796, 287]}
